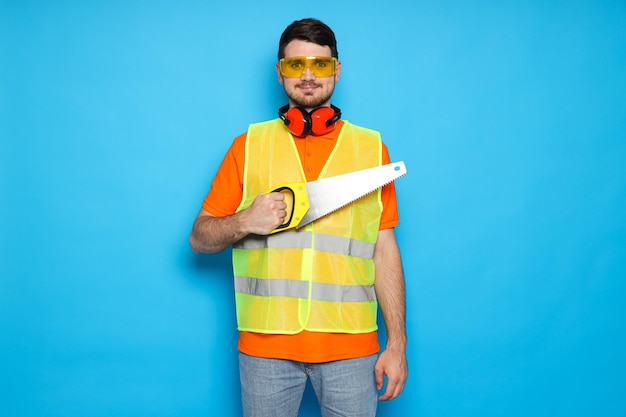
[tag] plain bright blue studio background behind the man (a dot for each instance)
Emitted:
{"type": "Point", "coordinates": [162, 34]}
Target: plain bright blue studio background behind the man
{"type": "Point", "coordinates": [510, 116]}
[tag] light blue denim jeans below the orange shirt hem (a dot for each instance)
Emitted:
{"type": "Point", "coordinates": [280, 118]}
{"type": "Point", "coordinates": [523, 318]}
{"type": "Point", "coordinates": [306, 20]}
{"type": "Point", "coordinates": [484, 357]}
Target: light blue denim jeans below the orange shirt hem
{"type": "Point", "coordinates": [274, 387]}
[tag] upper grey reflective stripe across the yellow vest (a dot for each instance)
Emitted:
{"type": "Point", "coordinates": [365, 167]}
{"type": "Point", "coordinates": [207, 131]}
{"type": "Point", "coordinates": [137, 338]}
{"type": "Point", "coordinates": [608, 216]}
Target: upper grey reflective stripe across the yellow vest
{"type": "Point", "coordinates": [303, 239]}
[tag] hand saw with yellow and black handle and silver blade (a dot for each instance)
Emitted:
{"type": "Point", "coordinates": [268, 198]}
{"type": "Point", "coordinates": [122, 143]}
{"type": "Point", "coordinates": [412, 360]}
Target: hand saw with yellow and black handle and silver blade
{"type": "Point", "coordinates": [308, 201]}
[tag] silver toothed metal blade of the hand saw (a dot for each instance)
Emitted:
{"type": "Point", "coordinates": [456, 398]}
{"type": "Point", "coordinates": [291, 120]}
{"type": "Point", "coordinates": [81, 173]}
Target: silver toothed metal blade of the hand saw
{"type": "Point", "coordinates": [330, 194]}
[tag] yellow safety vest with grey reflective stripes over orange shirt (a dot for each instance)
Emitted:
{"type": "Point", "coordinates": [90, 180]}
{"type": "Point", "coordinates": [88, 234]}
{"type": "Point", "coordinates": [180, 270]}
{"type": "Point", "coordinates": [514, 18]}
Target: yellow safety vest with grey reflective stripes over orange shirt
{"type": "Point", "coordinates": [319, 278]}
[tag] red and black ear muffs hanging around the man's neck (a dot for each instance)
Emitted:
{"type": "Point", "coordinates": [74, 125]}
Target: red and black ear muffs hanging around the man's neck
{"type": "Point", "coordinates": [300, 122]}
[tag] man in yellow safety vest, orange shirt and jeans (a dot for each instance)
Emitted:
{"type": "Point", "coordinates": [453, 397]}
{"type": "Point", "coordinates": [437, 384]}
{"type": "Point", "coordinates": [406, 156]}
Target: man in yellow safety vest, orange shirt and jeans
{"type": "Point", "coordinates": [287, 336]}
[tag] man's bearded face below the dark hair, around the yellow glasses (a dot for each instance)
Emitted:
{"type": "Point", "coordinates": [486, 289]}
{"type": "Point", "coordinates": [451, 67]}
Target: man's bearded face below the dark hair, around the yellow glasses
{"type": "Point", "coordinates": [308, 91]}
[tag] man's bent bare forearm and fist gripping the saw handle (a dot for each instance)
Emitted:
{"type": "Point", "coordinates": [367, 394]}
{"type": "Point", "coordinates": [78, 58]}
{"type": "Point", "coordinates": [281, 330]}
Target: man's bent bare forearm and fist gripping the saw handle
{"type": "Point", "coordinates": [212, 234]}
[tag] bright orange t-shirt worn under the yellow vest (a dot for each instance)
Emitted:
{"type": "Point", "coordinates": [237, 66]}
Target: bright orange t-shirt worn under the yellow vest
{"type": "Point", "coordinates": [224, 198]}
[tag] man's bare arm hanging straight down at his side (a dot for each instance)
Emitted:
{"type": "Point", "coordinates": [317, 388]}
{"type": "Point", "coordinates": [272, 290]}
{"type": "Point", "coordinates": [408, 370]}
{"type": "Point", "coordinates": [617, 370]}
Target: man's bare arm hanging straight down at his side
{"type": "Point", "coordinates": [390, 291]}
